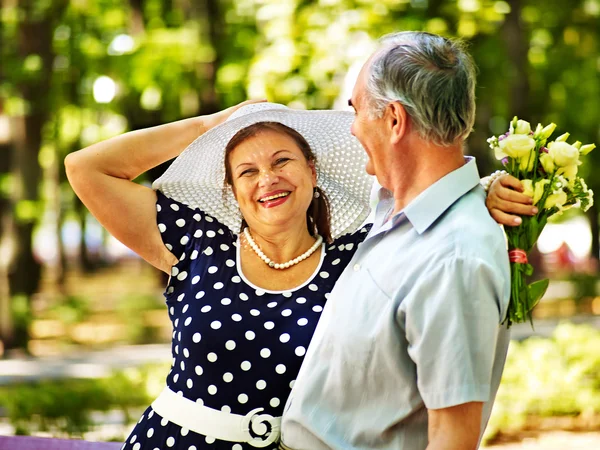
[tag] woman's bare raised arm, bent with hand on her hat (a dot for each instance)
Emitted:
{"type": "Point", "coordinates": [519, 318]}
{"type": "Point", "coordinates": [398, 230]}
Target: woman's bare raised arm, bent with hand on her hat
{"type": "Point", "coordinates": [102, 177]}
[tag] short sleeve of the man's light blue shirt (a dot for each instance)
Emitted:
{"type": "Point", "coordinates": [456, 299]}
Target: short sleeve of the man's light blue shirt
{"type": "Point", "coordinates": [452, 325]}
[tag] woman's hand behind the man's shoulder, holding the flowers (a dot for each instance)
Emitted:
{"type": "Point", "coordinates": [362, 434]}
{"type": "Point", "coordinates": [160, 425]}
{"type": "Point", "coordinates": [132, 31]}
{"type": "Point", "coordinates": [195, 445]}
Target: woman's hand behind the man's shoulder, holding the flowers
{"type": "Point", "coordinates": [505, 200]}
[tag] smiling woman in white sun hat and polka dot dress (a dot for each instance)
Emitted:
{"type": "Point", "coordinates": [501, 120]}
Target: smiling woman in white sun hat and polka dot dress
{"type": "Point", "coordinates": [247, 285]}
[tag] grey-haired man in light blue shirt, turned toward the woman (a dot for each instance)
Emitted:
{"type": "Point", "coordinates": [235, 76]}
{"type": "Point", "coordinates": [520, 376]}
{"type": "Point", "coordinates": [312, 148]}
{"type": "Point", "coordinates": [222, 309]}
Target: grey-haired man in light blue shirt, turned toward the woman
{"type": "Point", "coordinates": [410, 349]}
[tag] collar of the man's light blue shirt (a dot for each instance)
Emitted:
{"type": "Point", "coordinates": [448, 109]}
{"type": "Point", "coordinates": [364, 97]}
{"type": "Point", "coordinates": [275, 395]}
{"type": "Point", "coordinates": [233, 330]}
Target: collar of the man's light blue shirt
{"type": "Point", "coordinates": [430, 204]}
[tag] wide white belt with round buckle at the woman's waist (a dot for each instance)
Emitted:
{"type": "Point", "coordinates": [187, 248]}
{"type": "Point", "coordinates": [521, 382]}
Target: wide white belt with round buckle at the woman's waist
{"type": "Point", "coordinates": [251, 428]}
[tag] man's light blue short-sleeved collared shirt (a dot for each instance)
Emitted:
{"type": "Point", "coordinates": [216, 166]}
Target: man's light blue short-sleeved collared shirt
{"type": "Point", "coordinates": [412, 324]}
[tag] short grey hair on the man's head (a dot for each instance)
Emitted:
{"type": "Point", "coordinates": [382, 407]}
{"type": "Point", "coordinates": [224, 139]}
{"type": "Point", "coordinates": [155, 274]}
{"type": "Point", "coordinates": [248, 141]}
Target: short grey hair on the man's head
{"type": "Point", "coordinates": [432, 77]}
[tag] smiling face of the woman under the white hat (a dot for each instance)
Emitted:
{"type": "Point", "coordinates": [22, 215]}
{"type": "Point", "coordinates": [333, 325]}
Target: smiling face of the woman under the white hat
{"type": "Point", "coordinates": [272, 180]}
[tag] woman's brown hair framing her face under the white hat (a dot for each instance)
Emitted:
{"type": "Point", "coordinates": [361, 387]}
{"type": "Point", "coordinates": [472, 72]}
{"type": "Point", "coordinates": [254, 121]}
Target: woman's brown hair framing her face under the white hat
{"type": "Point", "coordinates": [317, 216]}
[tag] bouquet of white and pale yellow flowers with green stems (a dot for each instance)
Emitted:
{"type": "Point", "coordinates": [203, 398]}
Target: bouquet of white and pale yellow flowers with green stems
{"type": "Point", "coordinates": [548, 172]}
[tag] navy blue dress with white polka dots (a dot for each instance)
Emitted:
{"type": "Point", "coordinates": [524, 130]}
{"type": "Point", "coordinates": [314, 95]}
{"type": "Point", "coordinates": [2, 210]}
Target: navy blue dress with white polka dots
{"type": "Point", "coordinates": [235, 347]}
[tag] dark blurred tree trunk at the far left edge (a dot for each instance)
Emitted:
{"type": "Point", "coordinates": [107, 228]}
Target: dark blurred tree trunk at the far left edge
{"type": "Point", "coordinates": [34, 37]}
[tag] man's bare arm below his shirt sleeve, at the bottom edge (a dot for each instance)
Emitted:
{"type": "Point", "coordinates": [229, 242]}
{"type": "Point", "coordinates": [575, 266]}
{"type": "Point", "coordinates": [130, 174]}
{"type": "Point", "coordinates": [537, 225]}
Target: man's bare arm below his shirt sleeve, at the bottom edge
{"type": "Point", "coordinates": [455, 428]}
